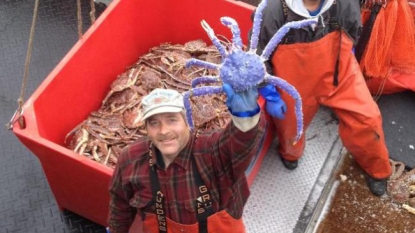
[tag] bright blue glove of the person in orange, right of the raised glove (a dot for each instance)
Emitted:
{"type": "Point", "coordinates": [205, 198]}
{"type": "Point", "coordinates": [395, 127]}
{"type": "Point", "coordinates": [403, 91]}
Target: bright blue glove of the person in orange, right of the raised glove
{"type": "Point", "coordinates": [274, 105]}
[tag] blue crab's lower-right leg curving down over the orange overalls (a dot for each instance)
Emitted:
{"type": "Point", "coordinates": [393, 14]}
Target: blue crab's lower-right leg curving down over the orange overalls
{"type": "Point", "coordinates": [285, 86]}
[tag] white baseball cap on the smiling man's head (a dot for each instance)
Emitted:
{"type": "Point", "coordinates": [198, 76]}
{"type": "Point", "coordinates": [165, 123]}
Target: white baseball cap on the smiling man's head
{"type": "Point", "coordinates": [161, 101]}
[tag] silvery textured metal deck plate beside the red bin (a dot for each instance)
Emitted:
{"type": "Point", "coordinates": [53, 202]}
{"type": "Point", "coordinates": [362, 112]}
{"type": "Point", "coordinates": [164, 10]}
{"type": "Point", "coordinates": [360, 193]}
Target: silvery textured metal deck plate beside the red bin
{"type": "Point", "coordinates": [279, 196]}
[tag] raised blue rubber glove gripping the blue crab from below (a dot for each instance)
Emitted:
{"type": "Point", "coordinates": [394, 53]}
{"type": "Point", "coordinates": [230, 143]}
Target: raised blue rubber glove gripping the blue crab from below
{"type": "Point", "coordinates": [242, 104]}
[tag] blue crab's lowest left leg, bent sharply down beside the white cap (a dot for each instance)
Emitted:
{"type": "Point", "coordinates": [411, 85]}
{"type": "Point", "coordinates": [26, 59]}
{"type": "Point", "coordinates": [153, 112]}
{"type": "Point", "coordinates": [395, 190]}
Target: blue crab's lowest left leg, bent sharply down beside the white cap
{"type": "Point", "coordinates": [198, 91]}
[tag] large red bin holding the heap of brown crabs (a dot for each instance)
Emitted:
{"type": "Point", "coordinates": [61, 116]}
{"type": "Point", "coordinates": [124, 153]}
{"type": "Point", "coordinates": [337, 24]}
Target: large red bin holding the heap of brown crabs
{"type": "Point", "coordinates": [126, 30]}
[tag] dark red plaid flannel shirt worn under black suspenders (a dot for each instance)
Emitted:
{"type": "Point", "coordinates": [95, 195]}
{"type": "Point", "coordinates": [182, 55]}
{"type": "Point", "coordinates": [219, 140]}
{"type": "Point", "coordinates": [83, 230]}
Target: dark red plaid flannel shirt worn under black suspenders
{"type": "Point", "coordinates": [222, 158]}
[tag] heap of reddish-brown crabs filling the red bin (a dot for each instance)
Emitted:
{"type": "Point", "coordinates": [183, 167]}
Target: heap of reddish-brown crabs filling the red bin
{"type": "Point", "coordinates": [116, 124]}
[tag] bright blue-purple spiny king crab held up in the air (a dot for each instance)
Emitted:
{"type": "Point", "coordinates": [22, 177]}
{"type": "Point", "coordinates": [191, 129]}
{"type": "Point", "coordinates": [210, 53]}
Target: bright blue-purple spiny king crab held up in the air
{"type": "Point", "coordinates": [244, 69]}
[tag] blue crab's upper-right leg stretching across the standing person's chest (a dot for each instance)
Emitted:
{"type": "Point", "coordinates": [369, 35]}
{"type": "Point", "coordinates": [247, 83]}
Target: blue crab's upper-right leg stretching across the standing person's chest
{"type": "Point", "coordinates": [276, 39]}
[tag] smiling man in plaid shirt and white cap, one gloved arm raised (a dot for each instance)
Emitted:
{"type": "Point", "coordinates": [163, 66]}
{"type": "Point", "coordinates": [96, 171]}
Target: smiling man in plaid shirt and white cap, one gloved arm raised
{"type": "Point", "coordinates": [175, 181]}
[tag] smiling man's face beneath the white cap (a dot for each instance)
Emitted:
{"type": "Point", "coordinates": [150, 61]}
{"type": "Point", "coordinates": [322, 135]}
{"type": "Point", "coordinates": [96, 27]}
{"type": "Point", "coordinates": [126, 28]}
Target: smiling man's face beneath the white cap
{"type": "Point", "coordinates": [169, 132]}
